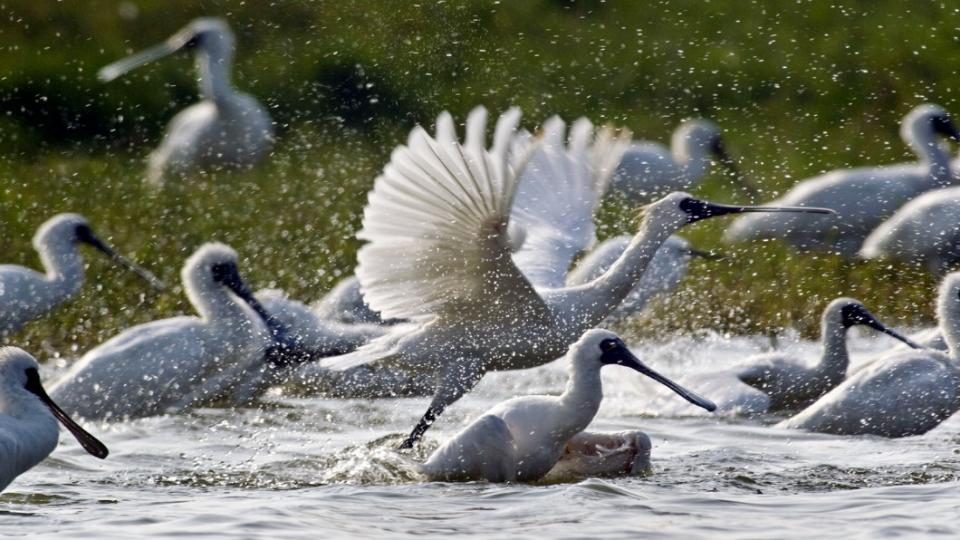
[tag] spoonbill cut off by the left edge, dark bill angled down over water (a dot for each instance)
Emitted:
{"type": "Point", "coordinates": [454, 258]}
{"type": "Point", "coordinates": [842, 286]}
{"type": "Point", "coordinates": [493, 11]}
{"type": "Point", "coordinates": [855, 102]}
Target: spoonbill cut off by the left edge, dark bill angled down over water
{"type": "Point", "coordinates": [28, 418]}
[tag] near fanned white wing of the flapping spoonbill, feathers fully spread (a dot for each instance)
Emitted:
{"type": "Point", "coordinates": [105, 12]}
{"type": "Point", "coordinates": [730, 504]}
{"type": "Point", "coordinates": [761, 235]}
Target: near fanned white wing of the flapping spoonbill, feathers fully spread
{"type": "Point", "coordinates": [436, 222]}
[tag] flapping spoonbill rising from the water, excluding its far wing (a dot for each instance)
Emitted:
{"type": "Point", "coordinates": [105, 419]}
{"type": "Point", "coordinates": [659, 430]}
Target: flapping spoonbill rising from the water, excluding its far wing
{"type": "Point", "coordinates": [439, 253]}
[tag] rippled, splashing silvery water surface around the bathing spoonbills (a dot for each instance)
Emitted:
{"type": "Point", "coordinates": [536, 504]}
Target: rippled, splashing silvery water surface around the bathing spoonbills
{"type": "Point", "coordinates": [323, 468]}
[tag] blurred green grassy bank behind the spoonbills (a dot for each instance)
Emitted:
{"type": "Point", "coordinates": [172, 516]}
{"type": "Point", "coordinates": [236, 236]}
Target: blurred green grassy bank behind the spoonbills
{"type": "Point", "coordinates": [798, 88]}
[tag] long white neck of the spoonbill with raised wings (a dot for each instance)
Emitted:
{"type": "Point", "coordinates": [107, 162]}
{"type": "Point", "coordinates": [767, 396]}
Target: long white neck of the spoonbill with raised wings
{"type": "Point", "coordinates": [584, 306]}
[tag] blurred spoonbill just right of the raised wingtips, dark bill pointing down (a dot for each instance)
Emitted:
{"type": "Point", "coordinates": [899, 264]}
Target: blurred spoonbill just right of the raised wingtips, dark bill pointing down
{"type": "Point", "coordinates": [650, 170]}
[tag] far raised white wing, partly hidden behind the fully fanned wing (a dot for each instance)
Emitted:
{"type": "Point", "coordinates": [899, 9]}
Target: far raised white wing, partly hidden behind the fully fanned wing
{"type": "Point", "coordinates": [559, 192]}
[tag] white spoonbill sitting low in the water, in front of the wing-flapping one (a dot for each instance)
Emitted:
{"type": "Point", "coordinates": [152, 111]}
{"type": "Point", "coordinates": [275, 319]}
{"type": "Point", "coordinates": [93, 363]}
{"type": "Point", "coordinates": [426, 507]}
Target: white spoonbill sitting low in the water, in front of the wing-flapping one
{"type": "Point", "coordinates": [523, 438]}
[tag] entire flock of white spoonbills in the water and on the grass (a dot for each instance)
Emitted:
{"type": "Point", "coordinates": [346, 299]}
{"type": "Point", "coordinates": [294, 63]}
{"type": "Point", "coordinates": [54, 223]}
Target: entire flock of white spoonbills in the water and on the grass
{"type": "Point", "coordinates": [481, 255]}
